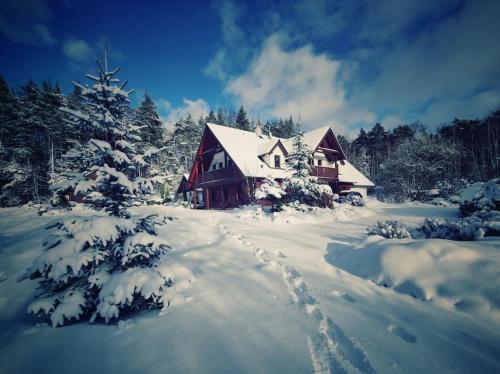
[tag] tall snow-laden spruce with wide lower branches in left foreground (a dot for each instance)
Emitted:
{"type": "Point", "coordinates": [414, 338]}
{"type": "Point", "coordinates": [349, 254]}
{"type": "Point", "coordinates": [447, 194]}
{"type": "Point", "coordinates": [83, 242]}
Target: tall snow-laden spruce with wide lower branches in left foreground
{"type": "Point", "coordinates": [101, 265]}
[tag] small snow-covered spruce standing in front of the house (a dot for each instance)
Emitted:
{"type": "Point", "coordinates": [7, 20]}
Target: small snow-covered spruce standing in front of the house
{"type": "Point", "coordinates": [301, 187]}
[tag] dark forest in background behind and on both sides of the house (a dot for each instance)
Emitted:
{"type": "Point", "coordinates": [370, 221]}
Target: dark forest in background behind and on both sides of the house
{"type": "Point", "coordinates": [403, 162]}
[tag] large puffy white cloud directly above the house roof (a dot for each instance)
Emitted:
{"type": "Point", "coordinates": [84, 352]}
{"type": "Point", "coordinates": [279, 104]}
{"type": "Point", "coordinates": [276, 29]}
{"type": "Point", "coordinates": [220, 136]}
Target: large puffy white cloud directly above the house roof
{"type": "Point", "coordinates": [299, 82]}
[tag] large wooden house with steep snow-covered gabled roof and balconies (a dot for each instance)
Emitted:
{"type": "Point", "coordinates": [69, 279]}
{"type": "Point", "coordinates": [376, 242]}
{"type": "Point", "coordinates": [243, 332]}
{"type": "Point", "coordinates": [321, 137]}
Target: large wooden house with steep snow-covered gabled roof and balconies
{"type": "Point", "coordinates": [231, 163]}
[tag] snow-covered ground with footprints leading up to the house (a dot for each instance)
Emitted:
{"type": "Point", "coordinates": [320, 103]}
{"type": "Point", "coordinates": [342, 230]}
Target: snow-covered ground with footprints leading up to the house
{"type": "Point", "coordinates": [297, 292]}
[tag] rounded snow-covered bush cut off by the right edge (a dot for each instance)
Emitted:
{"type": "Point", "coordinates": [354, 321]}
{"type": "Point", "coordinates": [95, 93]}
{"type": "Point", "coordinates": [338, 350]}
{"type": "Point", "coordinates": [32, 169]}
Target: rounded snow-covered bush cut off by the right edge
{"type": "Point", "coordinates": [481, 197]}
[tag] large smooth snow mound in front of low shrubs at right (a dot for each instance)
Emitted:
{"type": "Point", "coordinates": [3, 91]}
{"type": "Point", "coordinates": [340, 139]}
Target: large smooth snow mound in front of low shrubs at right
{"type": "Point", "coordinates": [458, 275]}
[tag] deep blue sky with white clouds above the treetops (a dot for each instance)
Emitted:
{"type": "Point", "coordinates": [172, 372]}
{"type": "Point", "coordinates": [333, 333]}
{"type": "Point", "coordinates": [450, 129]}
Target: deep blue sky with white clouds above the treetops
{"type": "Point", "coordinates": [343, 63]}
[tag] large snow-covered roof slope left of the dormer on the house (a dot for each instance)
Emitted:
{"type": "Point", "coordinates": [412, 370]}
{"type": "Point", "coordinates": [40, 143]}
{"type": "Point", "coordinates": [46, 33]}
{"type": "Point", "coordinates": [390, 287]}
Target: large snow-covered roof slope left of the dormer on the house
{"type": "Point", "coordinates": [243, 148]}
